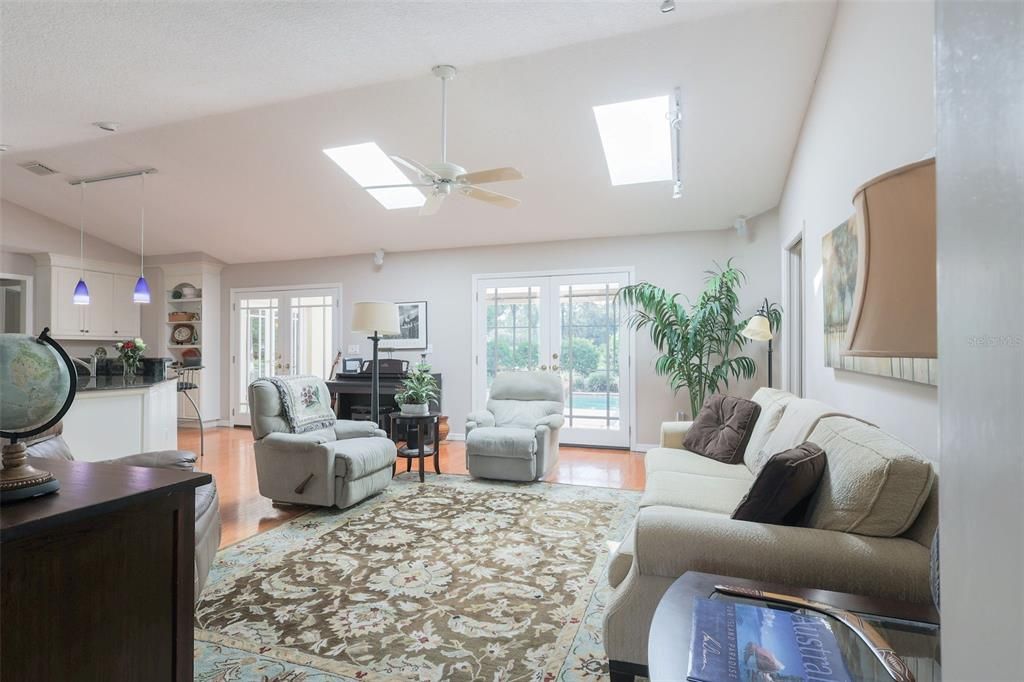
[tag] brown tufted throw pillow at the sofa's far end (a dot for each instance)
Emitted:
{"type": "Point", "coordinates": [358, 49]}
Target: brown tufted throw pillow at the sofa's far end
{"type": "Point", "coordinates": [722, 429]}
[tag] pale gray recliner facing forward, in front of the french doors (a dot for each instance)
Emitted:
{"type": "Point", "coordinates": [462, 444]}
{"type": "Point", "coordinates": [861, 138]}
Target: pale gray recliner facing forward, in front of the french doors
{"type": "Point", "coordinates": [517, 438]}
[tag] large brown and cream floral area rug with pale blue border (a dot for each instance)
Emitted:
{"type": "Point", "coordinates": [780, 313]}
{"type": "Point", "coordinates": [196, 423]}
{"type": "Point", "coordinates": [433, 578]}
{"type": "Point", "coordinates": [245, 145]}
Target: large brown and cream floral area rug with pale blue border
{"type": "Point", "coordinates": [450, 580]}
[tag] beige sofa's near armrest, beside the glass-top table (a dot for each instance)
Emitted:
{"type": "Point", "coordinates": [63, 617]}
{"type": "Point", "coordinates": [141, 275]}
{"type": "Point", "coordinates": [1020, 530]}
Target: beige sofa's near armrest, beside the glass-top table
{"type": "Point", "coordinates": [671, 541]}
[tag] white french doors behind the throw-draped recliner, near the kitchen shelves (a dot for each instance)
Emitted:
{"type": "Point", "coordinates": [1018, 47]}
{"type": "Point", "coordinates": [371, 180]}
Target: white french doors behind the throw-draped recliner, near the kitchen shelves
{"type": "Point", "coordinates": [279, 333]}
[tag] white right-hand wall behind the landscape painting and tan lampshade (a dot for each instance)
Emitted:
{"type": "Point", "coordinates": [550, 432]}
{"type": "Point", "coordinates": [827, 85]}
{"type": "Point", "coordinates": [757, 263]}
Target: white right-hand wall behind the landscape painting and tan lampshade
{"type": "Point", "coordinates": [873, 110]}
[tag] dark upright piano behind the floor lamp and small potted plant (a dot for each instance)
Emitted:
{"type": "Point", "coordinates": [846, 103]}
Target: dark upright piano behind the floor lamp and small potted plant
{"type": "Point", "coordinates": [353, 391]}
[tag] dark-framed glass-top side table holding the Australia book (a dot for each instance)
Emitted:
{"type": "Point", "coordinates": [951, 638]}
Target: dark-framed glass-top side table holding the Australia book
{"type": "Point", "coordinates": [912, 630]}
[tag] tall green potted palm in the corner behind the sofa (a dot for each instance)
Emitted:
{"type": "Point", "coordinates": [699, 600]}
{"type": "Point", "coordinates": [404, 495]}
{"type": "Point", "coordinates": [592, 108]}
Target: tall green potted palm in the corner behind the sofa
{"type": "Point", "coordinates": [700, 344]}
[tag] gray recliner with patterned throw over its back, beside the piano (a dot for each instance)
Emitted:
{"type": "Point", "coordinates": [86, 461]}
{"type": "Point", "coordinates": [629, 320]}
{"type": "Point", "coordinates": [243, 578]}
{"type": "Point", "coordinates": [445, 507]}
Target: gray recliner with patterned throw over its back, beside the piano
{"type": "Point", "coordinates": [337, 466]}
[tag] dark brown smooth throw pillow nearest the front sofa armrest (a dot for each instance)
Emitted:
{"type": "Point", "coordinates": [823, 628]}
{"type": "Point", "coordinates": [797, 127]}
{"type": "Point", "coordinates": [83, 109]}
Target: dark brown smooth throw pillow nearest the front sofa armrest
{"type": "Point", "coordinates": [784, 486]}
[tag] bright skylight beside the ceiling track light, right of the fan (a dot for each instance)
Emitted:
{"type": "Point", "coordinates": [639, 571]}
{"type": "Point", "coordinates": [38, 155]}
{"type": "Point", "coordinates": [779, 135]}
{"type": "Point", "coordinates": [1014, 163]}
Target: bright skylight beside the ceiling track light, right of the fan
{"type": "Point", "coordinates": [637, 140]}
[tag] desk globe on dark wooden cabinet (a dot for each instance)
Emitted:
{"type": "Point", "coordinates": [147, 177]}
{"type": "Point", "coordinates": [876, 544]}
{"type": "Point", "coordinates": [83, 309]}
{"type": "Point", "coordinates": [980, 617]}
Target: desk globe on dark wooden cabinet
{"type": "Point", "coordinates": [37, 387]}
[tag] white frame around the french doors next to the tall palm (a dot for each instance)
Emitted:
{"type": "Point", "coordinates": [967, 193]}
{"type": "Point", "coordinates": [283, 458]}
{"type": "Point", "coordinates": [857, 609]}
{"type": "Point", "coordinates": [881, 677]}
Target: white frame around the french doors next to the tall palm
{"type": "Point", "coordinates": [629, 338]}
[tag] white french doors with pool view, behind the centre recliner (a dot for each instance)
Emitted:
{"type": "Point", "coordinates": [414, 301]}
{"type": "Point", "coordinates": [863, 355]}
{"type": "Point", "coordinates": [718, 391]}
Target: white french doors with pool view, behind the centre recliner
{"type": "Point", "coordinates": [566, 324]}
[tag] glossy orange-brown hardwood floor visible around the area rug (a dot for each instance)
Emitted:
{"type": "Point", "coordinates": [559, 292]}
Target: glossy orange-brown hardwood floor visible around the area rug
{"type": "Point", "coordinates": [244, 513]}
